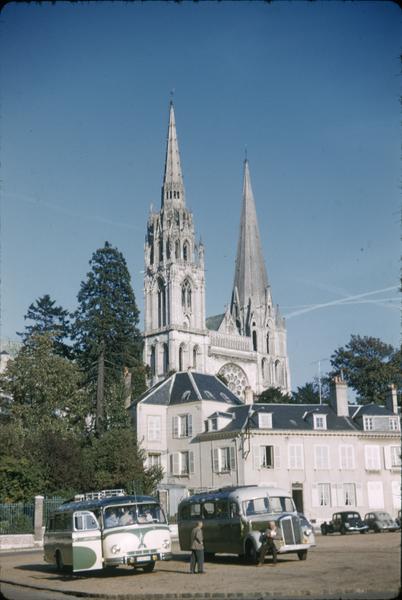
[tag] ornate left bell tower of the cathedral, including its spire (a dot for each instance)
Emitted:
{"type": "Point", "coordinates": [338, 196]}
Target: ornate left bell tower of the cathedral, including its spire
{"type": "Point", "coordinates": [175, 336]}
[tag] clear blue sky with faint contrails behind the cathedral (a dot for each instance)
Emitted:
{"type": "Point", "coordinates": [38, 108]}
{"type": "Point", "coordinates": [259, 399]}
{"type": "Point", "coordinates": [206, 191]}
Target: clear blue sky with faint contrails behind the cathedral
{"type": "Point", "coordinates": [310, 89]}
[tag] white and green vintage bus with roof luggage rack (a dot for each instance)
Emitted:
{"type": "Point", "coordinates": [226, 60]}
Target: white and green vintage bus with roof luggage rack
{"type": "Point", "coordinates": [107, 529]}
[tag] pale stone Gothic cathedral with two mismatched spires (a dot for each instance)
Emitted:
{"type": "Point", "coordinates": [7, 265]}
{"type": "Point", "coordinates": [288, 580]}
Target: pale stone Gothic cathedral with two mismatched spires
{"type": "Point", "coordinates": [246, 344]}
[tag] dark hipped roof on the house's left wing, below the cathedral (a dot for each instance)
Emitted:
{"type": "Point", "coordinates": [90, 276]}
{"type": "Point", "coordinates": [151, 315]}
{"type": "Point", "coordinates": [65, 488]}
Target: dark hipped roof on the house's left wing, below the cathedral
{"type": "Point", "coordinates": [189, 386]}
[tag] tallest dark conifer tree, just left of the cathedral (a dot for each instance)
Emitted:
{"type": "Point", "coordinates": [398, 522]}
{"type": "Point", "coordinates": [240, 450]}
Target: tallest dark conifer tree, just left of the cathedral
{"type": "Point", "coordinates": [105, 331]}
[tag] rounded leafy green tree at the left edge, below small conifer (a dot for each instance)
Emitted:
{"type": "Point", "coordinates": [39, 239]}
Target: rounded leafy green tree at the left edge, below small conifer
{"type": "Point", "coordinates": [45, 388]}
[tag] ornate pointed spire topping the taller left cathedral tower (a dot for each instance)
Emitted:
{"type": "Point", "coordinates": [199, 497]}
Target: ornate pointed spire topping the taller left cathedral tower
{"type": "Point", "coordinates": [173, 187]}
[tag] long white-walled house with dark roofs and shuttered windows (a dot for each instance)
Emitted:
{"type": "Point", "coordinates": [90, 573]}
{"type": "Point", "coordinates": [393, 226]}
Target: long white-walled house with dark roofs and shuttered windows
{"type": "Point", "coordinates": [330, 457]}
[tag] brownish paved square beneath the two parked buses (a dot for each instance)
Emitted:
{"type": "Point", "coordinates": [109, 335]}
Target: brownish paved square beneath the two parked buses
{"type": "Point", "coordinates": [353, 566]}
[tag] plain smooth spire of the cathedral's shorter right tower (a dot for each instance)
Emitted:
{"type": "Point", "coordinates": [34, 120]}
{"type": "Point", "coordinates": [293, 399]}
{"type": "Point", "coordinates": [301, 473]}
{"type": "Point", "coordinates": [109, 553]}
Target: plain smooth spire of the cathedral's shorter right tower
{"type": "Point", "coordinates": [250, 281]}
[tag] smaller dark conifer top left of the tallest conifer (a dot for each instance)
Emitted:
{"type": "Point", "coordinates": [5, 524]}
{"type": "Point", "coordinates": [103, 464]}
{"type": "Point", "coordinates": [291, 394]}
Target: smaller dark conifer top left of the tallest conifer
{"type": "Point", "coordinates": [48, 318]}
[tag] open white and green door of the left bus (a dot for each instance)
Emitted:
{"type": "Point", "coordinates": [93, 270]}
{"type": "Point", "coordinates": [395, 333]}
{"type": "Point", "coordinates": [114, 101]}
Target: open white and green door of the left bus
{"type": "Point", "coordinates": [86, 542]}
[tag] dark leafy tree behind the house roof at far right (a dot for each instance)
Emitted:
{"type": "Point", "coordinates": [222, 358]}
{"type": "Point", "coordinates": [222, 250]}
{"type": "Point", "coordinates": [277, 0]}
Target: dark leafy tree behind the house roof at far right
{"type": "Point", "coordinates": [369, 366]}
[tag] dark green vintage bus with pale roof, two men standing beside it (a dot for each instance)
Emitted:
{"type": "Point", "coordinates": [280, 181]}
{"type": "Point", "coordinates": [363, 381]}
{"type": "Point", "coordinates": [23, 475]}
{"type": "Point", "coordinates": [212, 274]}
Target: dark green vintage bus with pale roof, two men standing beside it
{"type": "Point", "coordinates": [234, 517]}
